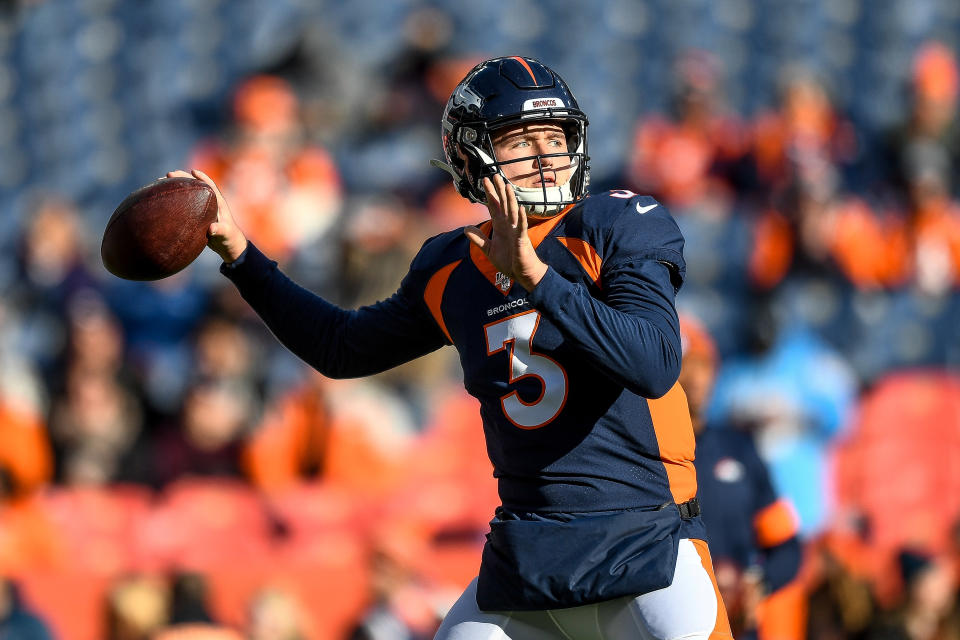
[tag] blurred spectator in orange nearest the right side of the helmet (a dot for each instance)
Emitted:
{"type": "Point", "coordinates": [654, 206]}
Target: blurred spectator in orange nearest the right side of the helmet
{"type": "Point", "coordinates": [696, 151]}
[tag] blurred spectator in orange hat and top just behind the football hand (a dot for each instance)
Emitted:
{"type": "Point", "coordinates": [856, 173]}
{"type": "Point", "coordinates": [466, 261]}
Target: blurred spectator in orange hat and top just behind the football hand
{"type": "Point", "coordinates": [290, 191]}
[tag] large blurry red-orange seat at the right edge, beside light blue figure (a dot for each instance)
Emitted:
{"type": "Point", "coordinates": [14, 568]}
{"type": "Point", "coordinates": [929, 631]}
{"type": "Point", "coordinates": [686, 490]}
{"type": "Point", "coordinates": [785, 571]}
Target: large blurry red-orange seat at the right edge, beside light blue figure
{"type": "Point", "coordinates": [900, 465]}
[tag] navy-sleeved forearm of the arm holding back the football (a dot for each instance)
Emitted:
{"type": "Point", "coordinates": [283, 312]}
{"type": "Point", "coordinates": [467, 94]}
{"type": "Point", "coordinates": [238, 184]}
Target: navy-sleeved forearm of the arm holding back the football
{"type": "Point", "coordinates": [323, 335]}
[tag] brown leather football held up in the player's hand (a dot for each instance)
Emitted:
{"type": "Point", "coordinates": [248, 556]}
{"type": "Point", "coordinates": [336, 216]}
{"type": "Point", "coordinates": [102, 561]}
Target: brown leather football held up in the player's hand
{"type": "Point", "coordinates": [158, 229]}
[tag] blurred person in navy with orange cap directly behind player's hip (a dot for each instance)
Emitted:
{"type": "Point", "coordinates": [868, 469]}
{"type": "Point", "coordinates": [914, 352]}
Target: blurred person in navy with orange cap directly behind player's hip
{"type": "Point", "coordinates": [753, 532]}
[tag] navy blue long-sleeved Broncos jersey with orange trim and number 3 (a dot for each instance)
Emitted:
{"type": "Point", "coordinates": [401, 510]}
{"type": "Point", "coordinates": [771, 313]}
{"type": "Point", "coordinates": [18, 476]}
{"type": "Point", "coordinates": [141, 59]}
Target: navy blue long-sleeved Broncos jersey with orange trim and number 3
{"type": "Point", "coordinates": [576, 379]}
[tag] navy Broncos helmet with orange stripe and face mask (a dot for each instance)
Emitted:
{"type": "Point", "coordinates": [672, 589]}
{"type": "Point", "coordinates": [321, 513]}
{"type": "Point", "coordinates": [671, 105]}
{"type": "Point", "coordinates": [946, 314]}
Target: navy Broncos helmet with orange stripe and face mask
{"type": "Point", "coordinates": [502, 92]}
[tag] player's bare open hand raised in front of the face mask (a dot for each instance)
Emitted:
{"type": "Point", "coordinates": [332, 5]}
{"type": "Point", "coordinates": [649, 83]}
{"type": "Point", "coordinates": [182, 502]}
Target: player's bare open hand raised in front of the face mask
{"type": "Point", "coordinates": [508, 248]}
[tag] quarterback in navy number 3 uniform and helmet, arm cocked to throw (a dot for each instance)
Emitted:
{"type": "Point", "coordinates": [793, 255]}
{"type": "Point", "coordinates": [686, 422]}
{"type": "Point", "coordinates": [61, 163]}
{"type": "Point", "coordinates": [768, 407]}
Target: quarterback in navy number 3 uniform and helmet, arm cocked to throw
{"type": "Point", "coordinates": [561, 307]}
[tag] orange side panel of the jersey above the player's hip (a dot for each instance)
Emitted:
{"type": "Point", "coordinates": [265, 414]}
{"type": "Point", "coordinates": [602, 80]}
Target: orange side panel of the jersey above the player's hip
{"type": "Point", "coordinates": [674, 430]}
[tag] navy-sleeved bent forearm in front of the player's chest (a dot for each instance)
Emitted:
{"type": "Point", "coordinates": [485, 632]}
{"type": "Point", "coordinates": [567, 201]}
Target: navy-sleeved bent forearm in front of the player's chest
{"type": "Point", "coordinates": [637, 345]}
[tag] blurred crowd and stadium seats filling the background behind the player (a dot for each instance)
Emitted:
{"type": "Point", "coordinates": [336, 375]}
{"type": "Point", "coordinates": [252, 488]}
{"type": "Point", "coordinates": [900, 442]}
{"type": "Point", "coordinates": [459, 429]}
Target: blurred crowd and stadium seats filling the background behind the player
{"type": "Point", "coordinates": [167, 470]}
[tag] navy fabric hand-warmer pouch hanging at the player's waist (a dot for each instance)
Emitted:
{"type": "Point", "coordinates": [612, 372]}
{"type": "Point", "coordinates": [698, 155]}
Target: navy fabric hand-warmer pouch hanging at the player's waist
{"type": "Point", "coordinates": [552, 564]}
